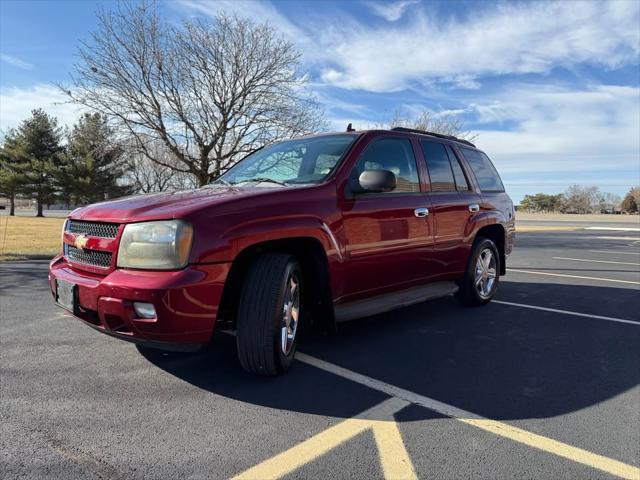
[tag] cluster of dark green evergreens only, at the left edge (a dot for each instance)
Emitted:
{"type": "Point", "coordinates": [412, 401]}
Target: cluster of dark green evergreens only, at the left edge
{"type": "Point", "coordinates": [41, 161]}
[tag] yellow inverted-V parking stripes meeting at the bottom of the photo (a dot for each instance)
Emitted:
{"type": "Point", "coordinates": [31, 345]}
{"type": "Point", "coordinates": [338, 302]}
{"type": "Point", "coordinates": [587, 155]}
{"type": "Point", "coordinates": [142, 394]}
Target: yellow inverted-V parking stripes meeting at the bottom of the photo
{"type": "Point", "coordinates": [394, 459]}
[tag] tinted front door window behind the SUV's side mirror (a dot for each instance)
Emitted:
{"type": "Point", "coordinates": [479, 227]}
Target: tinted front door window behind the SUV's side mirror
{"type": "Point", "coordinates": [396, 155]}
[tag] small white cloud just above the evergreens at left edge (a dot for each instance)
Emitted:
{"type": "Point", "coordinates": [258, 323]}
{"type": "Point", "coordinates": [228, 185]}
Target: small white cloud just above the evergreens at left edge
{"type": "Point", "coordinates": [16, 105]}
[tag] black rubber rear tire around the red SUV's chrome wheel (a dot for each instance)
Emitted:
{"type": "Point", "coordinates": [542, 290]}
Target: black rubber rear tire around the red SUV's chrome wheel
{"type": "Point", "coordinates": [470, 294]}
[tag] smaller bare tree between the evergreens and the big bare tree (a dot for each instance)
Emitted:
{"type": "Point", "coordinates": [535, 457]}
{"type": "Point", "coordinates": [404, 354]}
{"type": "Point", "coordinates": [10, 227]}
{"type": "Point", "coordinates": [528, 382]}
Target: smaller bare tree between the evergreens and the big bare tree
{"type": "Point", "coordinates": [147, 175]}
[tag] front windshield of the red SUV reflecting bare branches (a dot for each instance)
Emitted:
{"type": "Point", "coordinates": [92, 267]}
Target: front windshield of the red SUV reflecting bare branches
{"type": "Point", "coordinates": [307, 160]}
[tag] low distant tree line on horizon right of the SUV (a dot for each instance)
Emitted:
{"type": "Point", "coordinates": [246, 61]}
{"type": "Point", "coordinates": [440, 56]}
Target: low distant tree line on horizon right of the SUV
{"type": "Point", "coordinates": [581, 199]}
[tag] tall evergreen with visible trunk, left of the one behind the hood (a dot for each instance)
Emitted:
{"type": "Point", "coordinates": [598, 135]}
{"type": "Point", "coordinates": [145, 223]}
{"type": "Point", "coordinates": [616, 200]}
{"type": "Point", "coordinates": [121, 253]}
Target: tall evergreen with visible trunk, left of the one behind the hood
{"type": "Point", "coordinates": [36, 154]}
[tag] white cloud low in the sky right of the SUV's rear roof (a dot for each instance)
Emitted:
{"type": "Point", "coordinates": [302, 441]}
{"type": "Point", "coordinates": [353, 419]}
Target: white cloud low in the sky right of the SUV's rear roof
{"type": "Point", "coordinates": [563, 130]}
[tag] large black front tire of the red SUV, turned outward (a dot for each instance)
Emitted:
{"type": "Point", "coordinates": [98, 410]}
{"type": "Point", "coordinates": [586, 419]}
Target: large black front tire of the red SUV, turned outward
{"type": "Point", "coordinates": [260, 314]}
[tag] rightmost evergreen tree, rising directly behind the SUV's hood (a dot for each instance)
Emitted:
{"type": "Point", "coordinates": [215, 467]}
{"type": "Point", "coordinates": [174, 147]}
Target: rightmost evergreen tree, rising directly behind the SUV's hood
{"type": "Point", "coordinates": [93, 164]}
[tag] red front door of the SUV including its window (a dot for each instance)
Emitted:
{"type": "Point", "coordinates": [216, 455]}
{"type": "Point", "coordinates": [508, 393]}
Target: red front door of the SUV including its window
{"type": "Point", "coordinates": [389, 237]}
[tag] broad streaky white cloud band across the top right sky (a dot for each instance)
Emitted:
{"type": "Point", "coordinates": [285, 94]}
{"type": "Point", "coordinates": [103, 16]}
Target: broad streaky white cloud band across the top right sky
{"type": "Point", "coordinates": [515, 38]}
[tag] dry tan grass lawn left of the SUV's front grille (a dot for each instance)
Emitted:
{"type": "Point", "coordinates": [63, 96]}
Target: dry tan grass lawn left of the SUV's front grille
{"type": "Point", "coordinates": [29, 237]}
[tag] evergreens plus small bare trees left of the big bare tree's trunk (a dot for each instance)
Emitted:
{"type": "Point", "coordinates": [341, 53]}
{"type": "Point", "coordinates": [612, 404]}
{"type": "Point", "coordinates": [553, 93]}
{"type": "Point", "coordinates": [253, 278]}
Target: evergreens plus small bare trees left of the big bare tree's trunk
{"type": "Point", "coordinates": [45, 163]}
